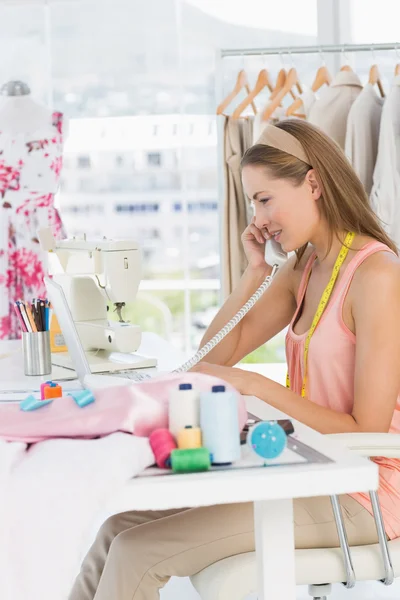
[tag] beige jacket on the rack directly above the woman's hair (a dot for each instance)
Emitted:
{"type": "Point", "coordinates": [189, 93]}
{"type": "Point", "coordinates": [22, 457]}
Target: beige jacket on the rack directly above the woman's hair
{"type": "Point", "coordinates": [331, 110]}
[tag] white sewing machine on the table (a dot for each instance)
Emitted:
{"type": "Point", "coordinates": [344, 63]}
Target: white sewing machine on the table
{"type": "Point", "coordinates": [95, 275]}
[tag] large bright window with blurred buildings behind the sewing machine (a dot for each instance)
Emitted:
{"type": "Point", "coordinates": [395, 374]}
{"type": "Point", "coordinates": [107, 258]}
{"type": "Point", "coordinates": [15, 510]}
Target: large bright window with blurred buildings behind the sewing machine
{"type": "Point", "coordinates": [141, 152]}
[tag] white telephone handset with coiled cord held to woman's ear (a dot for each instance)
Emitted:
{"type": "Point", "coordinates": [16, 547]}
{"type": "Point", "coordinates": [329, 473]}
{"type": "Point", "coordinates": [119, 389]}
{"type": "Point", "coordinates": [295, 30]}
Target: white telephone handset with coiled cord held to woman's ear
{"type": "Point", "coordinates": [276, 257]}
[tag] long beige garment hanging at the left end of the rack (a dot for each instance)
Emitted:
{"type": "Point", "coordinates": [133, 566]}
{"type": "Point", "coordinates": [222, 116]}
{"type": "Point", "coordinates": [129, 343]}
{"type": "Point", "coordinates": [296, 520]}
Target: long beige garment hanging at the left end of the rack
{"type": "Point", "coordinates": [238, 136]}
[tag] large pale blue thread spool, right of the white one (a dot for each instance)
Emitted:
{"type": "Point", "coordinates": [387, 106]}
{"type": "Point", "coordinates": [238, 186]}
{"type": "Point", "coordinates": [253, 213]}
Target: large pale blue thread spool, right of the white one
{"type": "Point", "coordinates": [219, 423]}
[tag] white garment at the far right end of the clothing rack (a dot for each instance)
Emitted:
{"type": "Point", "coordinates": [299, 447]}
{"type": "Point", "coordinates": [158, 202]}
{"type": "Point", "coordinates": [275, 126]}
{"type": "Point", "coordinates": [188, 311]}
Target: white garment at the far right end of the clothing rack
{"type": "Point", "coordinates": [385, 194]}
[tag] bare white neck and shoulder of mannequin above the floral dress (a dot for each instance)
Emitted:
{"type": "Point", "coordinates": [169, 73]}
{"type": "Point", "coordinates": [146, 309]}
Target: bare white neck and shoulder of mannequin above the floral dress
{"type": "Point", "coordinates": [19, 113]}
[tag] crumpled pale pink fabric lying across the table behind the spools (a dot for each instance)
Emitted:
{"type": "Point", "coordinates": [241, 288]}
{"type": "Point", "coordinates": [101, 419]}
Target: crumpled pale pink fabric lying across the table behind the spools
{"type": "Point", "coordinates": [136, 409]}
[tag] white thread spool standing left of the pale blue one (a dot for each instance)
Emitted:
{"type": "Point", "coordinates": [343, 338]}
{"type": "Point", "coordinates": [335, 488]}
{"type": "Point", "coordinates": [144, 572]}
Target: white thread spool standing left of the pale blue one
{"type": "Point", "coordinates": [183, 408]}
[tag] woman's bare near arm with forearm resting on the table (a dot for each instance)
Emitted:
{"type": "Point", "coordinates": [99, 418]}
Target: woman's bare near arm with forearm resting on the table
{"type": "Point", "coordinates": [376, 313]}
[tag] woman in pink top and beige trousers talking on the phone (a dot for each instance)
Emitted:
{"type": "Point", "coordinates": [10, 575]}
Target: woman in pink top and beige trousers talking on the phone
{"type": "Point", "coordinates": [344, 374]}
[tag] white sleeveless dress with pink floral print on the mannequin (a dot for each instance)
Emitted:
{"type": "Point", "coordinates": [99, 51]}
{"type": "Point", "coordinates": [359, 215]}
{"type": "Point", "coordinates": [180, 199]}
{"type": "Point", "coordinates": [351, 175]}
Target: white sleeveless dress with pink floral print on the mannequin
{"type": "Point", "coordinates": [30, 167]}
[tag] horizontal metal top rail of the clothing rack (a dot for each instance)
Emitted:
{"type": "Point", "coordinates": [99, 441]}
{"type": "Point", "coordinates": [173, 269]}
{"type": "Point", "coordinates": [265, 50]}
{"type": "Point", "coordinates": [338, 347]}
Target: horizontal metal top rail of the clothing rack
{"type": "Point", "coordinates": [317, 49]}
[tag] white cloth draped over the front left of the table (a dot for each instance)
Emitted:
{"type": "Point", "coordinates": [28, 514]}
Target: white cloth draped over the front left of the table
{"type": "Point", "coordinates": [57, 498]}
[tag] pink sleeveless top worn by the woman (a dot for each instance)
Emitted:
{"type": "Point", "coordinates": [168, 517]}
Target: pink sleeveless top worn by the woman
{"type": "Point", "coordinates": [330, 376]}
